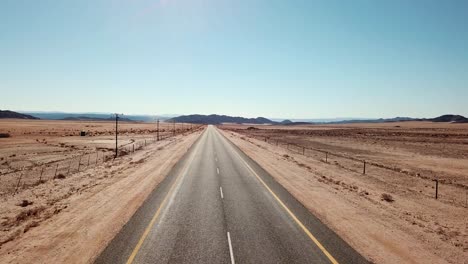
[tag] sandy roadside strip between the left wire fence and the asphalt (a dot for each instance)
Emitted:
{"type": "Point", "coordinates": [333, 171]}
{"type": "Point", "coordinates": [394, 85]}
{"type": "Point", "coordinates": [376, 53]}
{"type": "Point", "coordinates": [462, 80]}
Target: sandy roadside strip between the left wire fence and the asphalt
{"type": "Point", "coordinates": [71, 220]}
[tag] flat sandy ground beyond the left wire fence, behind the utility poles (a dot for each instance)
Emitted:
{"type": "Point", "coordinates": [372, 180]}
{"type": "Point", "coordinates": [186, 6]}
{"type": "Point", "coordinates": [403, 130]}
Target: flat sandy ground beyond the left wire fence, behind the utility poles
{"type": "Point", "coordinates": [38, 142]}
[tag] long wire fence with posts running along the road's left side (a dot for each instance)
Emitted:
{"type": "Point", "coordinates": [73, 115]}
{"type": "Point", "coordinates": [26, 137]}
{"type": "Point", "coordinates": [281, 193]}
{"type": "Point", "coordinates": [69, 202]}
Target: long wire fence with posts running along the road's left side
{"type": "Point", "coordinates": [16, 180]}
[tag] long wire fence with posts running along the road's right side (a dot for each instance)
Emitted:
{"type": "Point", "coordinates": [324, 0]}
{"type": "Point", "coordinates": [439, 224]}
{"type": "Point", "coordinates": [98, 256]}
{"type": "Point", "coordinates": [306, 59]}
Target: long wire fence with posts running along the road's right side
{"type": "Point", "coordinates": [420, 184]}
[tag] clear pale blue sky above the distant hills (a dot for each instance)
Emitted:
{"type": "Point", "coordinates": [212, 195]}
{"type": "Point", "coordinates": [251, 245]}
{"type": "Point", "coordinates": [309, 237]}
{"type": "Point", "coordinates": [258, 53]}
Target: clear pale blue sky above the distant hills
{"type": "Point", "coordinates": [289, 59]}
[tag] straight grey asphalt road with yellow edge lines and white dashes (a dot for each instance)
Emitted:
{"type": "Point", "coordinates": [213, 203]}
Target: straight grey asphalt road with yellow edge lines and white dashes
{"type": "Point", "coordinates": [218, 206]}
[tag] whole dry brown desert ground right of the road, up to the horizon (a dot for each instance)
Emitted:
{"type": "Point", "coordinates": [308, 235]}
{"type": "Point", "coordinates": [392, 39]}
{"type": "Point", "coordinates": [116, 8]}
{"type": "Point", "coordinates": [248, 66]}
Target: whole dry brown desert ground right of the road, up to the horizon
{"type": "Point", "coordinates": [387, 211]}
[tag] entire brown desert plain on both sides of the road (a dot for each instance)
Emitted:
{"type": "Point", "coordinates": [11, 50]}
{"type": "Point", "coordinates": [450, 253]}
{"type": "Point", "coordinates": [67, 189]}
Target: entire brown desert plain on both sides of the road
{"type": "Point", "coordinates": [59, 190]}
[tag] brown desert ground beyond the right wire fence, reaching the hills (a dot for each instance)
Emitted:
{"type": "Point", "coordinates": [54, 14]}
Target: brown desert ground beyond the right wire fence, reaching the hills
{"type": "Point", "coordinates": [422, 150]}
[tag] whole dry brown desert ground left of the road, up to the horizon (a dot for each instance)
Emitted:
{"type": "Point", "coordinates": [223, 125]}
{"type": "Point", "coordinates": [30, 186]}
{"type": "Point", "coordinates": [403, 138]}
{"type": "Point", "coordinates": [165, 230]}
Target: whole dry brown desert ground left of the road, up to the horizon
{"type": "Point", "coordinates": [64, 196]}
